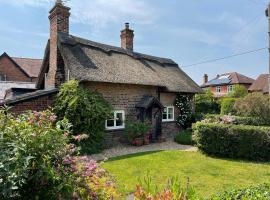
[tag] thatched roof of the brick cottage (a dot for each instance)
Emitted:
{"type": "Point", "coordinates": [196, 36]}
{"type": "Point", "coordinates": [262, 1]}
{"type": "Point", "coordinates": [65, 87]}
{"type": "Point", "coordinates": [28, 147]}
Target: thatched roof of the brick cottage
{"type": "Point", "coordinates": [92, 61]}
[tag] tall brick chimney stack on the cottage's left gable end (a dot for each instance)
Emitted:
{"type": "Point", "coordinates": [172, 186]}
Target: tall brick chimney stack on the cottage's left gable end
{"type": "Point", "coordinates": [59, 22]}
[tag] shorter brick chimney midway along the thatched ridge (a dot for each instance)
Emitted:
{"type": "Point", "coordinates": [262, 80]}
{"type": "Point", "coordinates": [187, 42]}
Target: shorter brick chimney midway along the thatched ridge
{"type": "Point", "coordinates": [127, 37]}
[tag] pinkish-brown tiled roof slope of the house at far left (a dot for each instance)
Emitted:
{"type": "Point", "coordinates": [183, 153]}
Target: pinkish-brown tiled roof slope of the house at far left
{"type": "Point", "coordinates": [29, 65]}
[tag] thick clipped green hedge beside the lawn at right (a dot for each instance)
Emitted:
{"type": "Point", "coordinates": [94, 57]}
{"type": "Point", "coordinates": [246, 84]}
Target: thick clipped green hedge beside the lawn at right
{"type": "Point", "coordinates": [233, 141]}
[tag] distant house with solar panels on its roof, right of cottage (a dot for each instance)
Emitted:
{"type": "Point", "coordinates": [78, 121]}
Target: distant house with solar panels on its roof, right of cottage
{"type": "Point", "coordinates": [223, 84]}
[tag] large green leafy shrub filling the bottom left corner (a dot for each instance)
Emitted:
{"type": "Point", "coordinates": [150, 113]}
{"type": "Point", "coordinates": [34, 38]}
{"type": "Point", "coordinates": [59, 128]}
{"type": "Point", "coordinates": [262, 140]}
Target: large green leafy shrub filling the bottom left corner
{"type": "Point", "coordinates": [29, 144]}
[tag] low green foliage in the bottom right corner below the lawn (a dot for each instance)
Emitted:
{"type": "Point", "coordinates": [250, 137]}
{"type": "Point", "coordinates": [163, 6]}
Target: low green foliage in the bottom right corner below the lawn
{"type": "Point", "coordinates": [259, 192]}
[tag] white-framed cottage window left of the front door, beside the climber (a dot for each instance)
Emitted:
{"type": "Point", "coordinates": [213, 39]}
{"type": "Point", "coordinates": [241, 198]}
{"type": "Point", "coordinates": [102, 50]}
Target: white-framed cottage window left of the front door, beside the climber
{"type": "Point", "coordinates": [117, 121]}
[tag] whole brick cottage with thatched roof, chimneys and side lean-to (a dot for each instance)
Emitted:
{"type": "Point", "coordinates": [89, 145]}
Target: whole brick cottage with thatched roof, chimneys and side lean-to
{"type": "Point", "coordinates": [139, 86]}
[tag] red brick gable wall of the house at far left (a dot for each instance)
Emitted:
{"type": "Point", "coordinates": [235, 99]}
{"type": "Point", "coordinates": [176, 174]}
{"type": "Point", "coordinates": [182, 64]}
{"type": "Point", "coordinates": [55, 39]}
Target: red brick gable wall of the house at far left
{"type": "Point", "coordinates": [13, 73]}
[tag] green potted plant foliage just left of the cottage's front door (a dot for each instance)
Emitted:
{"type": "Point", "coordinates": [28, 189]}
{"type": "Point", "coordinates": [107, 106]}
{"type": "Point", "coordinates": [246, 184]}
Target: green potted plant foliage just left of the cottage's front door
{"type": "Point", "coordinates": [136, 130]}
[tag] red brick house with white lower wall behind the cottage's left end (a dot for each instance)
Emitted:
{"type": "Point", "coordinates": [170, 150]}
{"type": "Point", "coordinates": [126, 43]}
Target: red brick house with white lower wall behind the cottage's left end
{"type": "Point", "coordinates": [17, 75]}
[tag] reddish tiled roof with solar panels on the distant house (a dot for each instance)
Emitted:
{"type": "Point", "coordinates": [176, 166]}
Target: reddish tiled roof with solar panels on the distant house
{"type": "Point", "coordinates": [229, 79]}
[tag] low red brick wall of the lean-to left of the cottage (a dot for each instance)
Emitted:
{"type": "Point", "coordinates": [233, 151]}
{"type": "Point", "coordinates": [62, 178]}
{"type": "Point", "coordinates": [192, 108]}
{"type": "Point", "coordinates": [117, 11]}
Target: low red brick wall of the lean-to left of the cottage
{"type": "Point", "coordinates": [35, 104]}
